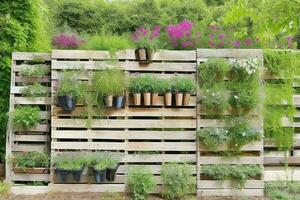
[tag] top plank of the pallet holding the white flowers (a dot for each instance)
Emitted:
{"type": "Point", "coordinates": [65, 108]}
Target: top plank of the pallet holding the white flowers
{"type": "Point", "coordinates": [229, 53]}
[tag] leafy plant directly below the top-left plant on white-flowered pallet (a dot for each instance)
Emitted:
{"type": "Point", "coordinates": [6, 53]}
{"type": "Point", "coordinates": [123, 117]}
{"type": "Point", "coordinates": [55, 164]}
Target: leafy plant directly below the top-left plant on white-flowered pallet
{"type": "Point", "coordinates": [214, 100]}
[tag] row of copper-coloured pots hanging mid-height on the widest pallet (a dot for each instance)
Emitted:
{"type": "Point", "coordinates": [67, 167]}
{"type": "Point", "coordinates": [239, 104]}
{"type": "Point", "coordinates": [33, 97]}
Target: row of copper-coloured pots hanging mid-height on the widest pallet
{"type": "Point", "coordinates": [181, 99]}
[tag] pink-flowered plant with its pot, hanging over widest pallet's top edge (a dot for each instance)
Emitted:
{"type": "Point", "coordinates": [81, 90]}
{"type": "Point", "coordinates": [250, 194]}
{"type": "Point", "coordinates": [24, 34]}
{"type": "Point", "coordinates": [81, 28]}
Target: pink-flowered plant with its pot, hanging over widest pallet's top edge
{"type": "Point", "coordinates": [146, 41]}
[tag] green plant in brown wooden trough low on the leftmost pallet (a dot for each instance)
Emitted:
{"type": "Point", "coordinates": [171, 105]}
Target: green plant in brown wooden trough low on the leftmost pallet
{"type": "Point", "coordinates": [30, 163]}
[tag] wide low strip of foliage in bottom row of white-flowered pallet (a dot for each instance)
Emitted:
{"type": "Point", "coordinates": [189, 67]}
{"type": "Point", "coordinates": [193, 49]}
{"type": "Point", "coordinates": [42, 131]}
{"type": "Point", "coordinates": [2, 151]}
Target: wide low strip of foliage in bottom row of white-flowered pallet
{"type": "Point", "coordinates": [236, 174]}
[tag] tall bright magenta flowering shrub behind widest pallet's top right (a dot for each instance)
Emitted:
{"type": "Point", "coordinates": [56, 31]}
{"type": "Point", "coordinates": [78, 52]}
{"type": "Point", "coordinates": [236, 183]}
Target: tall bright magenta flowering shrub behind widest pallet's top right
{"type": "Point", "coordinates": [180, 35]}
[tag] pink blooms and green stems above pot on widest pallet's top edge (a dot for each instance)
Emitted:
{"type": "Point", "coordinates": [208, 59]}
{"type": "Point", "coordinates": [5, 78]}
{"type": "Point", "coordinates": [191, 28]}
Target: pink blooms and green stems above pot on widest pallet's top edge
{"type": "Point", "coordinates": [146, 38]}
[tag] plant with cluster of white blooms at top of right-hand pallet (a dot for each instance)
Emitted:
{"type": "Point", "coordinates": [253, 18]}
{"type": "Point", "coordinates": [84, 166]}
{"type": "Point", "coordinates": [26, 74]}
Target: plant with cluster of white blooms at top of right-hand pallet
{"type": "Point", "coordinates": [243, 69]}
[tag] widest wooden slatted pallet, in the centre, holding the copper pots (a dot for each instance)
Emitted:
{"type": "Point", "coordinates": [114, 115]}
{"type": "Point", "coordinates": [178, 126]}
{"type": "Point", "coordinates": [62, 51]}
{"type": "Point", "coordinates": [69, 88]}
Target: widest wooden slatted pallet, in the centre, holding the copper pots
{"type": "Point", "coordinates": [150, 136]}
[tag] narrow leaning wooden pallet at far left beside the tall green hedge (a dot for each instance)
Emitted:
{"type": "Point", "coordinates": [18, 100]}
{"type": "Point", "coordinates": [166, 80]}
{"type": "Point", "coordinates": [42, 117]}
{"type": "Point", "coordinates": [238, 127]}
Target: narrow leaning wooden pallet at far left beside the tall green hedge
{"type": "Point", "coordinates": [34, 139]}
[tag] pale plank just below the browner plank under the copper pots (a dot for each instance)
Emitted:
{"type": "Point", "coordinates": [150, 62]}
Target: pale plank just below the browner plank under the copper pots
{"type": "Point", "coordinates": [130, 123]}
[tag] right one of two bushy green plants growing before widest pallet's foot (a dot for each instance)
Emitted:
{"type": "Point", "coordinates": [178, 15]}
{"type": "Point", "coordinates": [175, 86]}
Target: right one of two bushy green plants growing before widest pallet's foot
{"type": "Point", "coordinates": [177, 181]}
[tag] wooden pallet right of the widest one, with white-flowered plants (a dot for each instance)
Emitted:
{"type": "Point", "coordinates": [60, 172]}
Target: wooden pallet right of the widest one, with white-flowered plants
{"type": "Point", "coordinates": [251, 153]}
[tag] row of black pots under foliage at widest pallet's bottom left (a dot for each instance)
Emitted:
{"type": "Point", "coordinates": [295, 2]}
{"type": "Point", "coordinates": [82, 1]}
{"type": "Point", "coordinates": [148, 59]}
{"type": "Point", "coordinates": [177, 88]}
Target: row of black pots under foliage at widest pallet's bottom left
{"type": "Point", "coordinates": [100, 176]}
